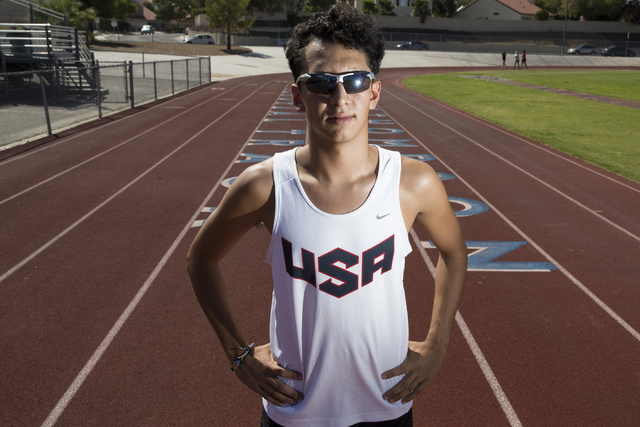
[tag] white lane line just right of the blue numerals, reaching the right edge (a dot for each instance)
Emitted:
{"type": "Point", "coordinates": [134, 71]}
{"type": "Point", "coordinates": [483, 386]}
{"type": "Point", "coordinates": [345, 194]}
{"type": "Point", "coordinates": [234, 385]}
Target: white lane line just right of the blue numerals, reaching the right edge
{"type": "Point", "coordinates": [564, 271]}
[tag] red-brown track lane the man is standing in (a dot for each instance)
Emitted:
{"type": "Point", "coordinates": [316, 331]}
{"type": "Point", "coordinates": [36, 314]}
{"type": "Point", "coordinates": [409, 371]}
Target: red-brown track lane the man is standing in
{"type": "Point", "coordinates": [250, 294]}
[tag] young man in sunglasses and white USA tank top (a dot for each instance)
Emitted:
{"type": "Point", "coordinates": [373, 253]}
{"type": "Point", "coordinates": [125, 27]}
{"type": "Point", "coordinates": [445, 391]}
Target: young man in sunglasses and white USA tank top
{"type": "Point", "coordinates": [339, 211]}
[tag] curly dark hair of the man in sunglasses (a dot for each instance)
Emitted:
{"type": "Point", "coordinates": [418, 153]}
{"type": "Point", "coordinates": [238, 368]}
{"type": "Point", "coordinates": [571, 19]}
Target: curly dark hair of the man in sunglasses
{"type": "Point", "coordinates": [343, 25]}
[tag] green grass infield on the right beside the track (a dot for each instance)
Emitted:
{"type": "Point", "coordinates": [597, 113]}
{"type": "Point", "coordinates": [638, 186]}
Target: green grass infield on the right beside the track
{"type": "Point", "coordinates": [603, 134]}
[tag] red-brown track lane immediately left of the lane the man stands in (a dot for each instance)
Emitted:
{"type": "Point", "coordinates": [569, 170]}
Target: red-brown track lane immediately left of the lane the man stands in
{"type": "Point", "coordinates": [131, 226]}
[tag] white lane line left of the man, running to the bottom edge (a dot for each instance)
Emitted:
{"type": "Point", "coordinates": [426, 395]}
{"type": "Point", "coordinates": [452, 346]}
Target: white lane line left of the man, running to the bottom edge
{"type": "Point", "coordinates": [91, 363]}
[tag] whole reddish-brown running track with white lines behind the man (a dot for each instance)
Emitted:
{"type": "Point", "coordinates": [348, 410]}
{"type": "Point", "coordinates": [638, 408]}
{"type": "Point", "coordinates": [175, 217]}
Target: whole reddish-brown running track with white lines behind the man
{"type": "Point", "coordinates": [99, 325]}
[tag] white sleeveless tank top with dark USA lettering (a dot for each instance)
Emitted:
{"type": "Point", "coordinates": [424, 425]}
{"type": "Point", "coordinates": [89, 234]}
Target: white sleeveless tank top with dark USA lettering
{"type": "Point", "coordinates": [338, 312]}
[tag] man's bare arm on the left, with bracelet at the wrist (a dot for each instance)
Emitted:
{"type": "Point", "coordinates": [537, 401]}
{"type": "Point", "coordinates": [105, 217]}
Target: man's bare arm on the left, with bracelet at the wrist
{"type": "Point", "coordinates": [248, 201]}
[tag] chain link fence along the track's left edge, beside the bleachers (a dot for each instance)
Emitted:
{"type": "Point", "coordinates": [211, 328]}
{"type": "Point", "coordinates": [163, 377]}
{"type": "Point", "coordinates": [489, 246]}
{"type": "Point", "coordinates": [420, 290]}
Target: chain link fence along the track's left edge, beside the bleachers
{"type": "Point", "coordinates": [37, 103]}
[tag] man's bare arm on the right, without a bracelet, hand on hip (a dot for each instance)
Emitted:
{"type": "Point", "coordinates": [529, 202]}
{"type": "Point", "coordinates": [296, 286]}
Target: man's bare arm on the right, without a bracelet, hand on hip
{"type": "Point", "coordinates": [424, 199]}
